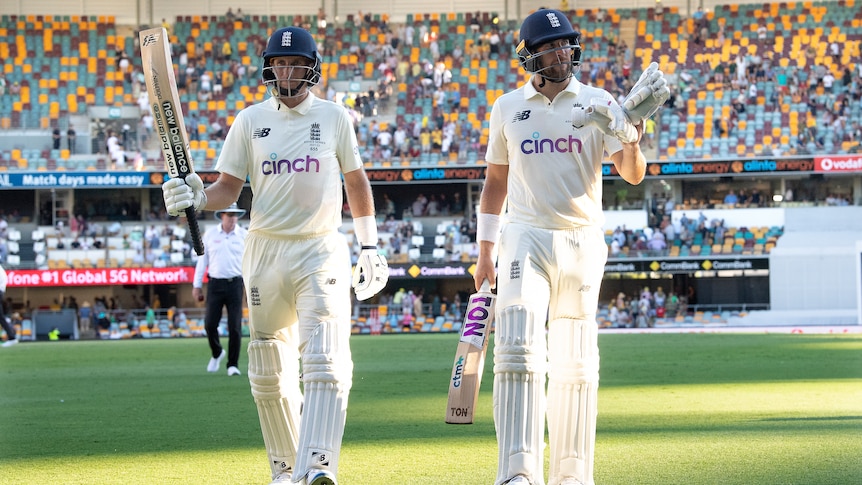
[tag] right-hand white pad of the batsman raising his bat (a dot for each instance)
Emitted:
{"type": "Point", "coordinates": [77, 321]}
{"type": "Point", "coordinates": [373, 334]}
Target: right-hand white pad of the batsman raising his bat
{"type": "Point", "coordinates": [327, 370]}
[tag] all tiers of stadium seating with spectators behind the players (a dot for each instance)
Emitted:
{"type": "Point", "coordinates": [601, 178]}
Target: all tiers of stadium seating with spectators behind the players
{"type": "Point", "coordinates": [749, 80]}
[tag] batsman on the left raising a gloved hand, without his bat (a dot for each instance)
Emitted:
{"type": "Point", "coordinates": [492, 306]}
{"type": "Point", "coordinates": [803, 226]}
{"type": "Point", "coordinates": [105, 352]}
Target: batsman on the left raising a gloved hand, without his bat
{"type": "Point", "coordinates": [294, 149]}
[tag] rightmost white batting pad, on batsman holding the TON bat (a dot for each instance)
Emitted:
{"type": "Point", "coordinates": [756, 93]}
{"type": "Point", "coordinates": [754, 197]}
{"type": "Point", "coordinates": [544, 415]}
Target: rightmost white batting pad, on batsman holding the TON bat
{"type": "Point", "coordinates": [573, 382]}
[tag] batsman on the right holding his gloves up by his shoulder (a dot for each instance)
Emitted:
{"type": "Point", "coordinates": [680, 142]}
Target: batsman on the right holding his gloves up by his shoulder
{"type": "Point", "coordinates": [546, 145]}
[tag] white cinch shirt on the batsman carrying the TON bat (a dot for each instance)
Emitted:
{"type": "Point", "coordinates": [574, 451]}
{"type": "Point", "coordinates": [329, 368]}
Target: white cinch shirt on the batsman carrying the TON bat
{"type": "Point", "coordinates": [555, 170]}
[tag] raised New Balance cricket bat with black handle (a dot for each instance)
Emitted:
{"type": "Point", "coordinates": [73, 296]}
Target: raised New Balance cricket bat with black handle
{"type": "Point", "coordinates": [168, 115]}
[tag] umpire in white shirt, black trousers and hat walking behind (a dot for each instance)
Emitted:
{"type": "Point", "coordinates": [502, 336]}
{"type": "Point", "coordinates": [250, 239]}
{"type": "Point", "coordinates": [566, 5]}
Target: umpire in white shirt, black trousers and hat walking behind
{"type": "Point", "coordinates": [222, 259]}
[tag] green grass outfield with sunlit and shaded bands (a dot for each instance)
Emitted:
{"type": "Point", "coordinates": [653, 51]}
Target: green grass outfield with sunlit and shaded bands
{"type": "Point", "coordinates": [673, 409]}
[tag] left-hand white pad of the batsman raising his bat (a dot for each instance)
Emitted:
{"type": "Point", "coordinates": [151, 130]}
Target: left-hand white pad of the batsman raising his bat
{"type": "Point", "coordinates": [273, 371]}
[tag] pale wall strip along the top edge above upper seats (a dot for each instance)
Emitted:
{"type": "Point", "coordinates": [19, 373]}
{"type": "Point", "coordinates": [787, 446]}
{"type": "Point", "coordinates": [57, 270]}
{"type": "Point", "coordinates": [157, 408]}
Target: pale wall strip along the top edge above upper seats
{"type": "Point", "coordinates": [131, 12]}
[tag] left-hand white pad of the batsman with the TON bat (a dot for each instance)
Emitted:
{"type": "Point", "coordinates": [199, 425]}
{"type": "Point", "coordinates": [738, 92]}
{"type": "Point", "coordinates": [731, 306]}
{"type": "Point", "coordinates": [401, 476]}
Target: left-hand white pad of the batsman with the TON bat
{"type": "Point", "coordinates": [519, 394]}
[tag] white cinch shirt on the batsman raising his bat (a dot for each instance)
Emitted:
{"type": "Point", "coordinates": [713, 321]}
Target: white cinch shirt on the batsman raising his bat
{"type": "Point", "coordinates": [293, 159]}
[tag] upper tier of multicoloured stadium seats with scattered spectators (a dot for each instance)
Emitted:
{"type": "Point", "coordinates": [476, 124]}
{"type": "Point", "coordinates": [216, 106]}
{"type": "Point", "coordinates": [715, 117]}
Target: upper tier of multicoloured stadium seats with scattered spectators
{"type": "Point", "coordinates": [747, 81]}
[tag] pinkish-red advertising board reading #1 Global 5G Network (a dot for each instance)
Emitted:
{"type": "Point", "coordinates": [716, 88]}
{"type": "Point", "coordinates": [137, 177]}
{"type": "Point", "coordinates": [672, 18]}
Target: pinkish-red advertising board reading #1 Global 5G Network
{"type": "Point", "coordinates": [100, 277]}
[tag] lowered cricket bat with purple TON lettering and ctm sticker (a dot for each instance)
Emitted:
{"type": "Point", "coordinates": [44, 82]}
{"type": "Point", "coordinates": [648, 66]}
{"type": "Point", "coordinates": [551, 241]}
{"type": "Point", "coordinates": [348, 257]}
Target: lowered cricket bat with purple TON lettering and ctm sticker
{"type": "Point", "coordinates": [466, 375]}
